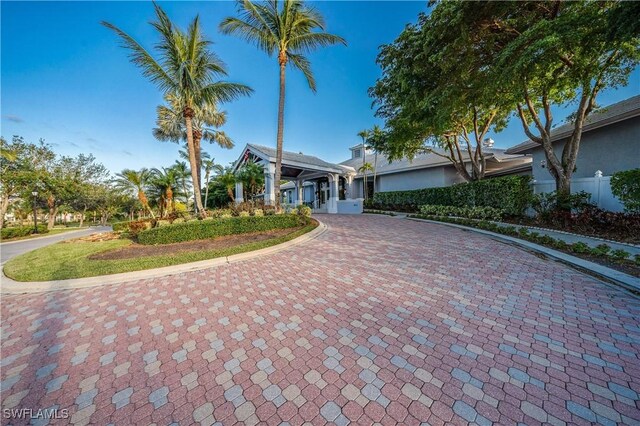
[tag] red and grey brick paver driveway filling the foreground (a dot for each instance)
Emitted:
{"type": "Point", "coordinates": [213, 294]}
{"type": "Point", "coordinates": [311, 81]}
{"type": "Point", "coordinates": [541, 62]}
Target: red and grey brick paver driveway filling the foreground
{"type": "Point", "coordinates": [379, 320]}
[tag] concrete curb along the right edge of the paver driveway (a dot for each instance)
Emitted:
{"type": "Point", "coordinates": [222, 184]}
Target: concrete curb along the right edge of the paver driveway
{"type": "Point", "coordinates": [606, 275]}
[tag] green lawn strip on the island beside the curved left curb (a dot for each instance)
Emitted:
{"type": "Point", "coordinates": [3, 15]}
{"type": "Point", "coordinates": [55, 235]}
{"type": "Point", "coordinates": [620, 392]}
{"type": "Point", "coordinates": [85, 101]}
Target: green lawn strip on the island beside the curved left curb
{"type": "Point", "coordinates": [70, 260]}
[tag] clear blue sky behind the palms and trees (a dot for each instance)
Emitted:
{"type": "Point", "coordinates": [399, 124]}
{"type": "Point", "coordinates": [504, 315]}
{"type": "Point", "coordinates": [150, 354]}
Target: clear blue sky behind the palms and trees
{"type": "Point", "coordinates": [66, 79]}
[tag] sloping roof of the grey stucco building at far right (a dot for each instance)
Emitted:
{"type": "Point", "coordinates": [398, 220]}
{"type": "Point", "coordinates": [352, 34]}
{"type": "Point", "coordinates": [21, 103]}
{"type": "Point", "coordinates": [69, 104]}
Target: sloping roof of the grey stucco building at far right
{"type": "Point", "coordinates": [611, 114]}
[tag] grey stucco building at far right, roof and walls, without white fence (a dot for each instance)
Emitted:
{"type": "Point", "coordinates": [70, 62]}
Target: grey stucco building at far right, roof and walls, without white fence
{"type": "Point", "coordinates": [610, 143]}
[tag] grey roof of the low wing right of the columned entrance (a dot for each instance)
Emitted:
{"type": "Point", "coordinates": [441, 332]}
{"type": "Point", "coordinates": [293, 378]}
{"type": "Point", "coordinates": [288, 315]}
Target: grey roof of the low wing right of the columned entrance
{"type": "Point", "coordinates": [421, 161]}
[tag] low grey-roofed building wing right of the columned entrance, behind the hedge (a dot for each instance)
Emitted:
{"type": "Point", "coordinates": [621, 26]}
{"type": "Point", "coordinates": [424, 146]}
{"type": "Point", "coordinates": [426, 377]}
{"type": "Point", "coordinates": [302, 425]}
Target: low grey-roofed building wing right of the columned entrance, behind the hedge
{"type": "Point", "coordinates": [425, 170]}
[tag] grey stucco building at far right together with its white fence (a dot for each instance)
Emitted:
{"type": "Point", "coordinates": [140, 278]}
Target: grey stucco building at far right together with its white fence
{"type": "Point", "coordinates": [610, 143]}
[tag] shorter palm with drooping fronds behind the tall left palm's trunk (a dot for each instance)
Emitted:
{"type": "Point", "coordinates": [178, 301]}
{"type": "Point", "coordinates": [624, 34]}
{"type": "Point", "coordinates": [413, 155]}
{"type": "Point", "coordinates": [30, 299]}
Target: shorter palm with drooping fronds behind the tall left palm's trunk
{"type": "Point", "coordinates": [206, 121]}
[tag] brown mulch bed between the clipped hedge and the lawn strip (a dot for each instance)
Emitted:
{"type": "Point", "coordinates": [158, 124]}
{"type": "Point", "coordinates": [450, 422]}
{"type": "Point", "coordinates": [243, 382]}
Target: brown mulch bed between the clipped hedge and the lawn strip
{"type": "Point", "coordinates": [227, 241]}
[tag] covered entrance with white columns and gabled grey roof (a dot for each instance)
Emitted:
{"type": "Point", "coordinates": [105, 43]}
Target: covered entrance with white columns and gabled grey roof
{"type": "Point", "coordinates": [323, 186]}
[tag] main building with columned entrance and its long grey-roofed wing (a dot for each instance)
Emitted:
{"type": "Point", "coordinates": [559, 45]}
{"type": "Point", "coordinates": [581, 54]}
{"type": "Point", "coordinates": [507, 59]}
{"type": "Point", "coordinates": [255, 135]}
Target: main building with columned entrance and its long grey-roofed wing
{"type": "Point", "coordinates": [338, 188]}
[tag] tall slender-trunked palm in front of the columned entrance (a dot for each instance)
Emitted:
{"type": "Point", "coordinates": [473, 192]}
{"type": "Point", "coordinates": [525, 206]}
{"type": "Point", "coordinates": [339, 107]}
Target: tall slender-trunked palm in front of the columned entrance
{"type": "Point", "coordinates": [290, 31]}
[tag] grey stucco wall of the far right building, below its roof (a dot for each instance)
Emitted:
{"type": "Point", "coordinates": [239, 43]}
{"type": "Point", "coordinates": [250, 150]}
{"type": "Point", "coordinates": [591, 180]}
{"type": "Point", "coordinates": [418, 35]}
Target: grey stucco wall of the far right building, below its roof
{"type": "Point", "coordinates": [609, 149]}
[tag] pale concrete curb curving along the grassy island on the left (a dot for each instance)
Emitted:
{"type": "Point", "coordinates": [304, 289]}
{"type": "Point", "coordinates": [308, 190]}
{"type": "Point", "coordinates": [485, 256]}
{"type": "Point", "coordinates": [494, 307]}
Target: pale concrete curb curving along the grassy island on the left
{"type": "Point", "coordinates": [9, 286]}
